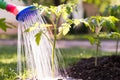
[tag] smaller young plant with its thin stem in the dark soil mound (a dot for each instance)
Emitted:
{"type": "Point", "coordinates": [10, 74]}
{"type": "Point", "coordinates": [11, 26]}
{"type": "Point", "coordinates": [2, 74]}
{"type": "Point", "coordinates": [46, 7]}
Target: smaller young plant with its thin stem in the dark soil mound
{"type": "Point", "coordinates": [96, 23]}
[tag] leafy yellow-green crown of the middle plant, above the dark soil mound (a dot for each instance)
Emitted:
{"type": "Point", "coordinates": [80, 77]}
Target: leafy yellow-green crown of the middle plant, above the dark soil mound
{"type": "Point", "coordinates": [97, 22]}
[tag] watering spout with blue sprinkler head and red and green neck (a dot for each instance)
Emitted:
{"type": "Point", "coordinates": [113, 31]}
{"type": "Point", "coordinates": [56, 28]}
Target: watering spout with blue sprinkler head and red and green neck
{"type": "Point", "coordinates": [20, 14]}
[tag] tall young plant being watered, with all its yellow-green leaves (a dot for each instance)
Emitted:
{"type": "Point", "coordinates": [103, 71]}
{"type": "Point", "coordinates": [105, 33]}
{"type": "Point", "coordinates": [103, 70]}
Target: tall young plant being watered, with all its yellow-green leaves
{"type": "Point", "coordinates": [60, 23]}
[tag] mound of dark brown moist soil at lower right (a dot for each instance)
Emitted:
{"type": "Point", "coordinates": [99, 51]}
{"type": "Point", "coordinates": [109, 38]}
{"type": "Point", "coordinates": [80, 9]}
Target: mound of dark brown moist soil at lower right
{"type": "Point", "coordinates": [108, 68]}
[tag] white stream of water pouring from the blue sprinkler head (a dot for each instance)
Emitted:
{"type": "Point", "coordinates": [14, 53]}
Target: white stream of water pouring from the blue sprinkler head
{"type": "Point", "coordinates": [34, 61]}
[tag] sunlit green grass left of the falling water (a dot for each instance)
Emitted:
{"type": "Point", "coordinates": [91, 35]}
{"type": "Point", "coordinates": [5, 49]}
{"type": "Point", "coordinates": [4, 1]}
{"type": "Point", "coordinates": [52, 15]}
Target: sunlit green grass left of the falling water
{"type": "Point", "coordinates": [8, 62]}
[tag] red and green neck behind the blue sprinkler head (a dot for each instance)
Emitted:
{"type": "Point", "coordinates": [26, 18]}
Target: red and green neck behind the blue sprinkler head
{"type": "Point", "coordinates": [9, 7]}
